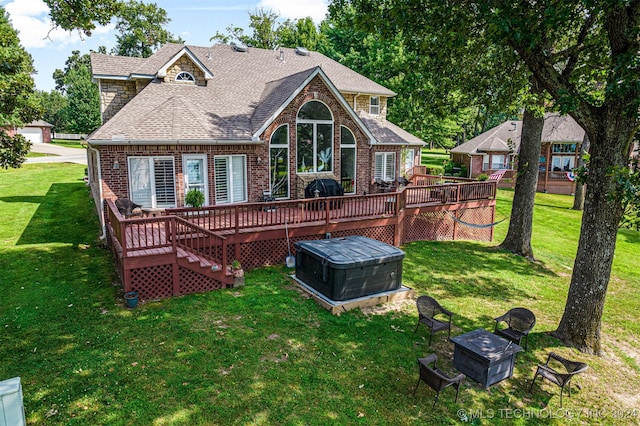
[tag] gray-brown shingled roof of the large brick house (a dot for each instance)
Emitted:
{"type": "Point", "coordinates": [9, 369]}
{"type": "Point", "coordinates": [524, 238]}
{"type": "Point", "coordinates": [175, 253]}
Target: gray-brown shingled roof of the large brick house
{"type": "Point", "coordinates": [246, 90]}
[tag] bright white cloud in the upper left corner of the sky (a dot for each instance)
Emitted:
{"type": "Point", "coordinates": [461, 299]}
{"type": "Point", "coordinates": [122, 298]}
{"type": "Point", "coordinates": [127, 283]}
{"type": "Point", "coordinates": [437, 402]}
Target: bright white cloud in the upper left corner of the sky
{"type": "Point", "coordinates": [31, 19]}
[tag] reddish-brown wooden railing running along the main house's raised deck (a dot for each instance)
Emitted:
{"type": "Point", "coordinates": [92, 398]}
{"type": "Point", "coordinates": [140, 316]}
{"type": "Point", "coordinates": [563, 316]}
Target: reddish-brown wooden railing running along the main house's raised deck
{"type": "Point", "coordinates": [202, 229]}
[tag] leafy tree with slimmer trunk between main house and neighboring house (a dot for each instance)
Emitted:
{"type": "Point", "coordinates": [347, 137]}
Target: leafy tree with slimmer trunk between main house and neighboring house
{"type": "Point", "coordinates": [457, 67]}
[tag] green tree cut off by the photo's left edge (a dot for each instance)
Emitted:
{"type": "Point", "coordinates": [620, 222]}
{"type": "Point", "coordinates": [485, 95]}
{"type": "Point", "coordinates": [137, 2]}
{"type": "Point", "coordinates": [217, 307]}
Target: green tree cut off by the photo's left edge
{"type": "Point", "coordinates": [18, 104]}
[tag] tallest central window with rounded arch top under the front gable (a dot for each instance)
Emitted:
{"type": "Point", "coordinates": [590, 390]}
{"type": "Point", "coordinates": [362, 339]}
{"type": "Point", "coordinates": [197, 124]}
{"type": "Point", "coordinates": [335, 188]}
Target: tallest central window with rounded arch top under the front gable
{"type": "Point", "coordinates": [314, 138]}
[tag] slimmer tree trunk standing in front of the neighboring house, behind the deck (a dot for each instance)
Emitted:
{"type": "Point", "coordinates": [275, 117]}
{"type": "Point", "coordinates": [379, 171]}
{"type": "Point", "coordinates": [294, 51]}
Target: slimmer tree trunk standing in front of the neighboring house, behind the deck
{"type": "Point", "coordinates": [518, 239]}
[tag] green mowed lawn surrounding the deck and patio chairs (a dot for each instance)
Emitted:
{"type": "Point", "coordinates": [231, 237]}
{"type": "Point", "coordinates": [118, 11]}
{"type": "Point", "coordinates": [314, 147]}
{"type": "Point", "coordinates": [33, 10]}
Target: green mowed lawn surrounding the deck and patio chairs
{"type": "Point", "coordinates": [266, 353]}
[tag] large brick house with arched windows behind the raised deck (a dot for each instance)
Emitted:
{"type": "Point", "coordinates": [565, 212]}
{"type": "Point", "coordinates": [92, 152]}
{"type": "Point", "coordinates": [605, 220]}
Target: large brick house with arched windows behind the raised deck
{"type": "Point", "coordinates": [238, 123]}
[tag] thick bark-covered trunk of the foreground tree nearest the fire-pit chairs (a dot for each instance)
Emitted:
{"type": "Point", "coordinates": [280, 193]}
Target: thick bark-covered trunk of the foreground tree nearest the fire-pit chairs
{"type": "Point", "coordinates": [581, 321]}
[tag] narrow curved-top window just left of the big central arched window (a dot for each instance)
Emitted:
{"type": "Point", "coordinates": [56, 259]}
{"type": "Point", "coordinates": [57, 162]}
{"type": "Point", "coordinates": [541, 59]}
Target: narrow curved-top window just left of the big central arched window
{"type": "Point", "coordinates": [279, 162]}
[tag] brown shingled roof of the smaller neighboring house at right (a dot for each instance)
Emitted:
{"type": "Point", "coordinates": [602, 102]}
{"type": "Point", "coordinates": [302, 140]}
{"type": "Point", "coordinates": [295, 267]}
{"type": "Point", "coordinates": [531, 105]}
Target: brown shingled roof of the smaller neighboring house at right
{"type": "Point", "coordinates": [556, 128]}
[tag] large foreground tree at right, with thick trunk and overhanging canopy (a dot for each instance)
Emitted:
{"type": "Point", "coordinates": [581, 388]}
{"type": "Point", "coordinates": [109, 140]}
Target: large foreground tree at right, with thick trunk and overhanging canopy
{"type": "Point", "coordinates": [585, 56]}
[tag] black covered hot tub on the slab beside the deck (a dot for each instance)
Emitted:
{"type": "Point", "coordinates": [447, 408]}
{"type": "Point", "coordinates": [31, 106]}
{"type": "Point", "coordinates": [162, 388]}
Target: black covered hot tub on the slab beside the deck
{"type": "Point", "coordinates": [348, 268]}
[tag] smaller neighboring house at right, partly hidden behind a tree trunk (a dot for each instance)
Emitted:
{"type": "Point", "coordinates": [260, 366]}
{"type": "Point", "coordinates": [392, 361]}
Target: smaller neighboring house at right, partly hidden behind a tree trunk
{"type": "Point", "coordinates": [498, 149]}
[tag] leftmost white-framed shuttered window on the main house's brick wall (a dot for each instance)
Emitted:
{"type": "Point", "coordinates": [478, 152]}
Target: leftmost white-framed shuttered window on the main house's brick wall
{"type": "Point", "coordinates": [152, 181]}
